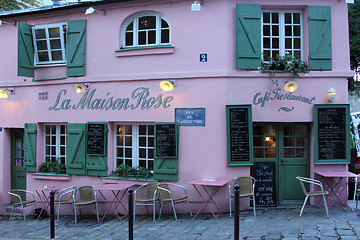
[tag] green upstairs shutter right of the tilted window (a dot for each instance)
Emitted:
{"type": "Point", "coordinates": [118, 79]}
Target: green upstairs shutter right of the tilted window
{"type": "Point", "coordinates": [75, 48]}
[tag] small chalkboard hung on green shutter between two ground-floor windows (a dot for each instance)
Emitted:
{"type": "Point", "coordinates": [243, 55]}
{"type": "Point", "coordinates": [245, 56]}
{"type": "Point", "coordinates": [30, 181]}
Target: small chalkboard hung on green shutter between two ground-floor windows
{"type": "Point", "coordinates": [96, 133]}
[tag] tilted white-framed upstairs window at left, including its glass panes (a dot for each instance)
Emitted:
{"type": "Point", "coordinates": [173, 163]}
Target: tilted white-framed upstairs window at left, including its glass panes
{"type": "Point", "coordinates": [49, 44]}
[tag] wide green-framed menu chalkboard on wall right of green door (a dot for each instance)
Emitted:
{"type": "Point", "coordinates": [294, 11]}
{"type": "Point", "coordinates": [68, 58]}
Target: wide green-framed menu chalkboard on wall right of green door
{"type": "Point", "coordinates": [332, 133]}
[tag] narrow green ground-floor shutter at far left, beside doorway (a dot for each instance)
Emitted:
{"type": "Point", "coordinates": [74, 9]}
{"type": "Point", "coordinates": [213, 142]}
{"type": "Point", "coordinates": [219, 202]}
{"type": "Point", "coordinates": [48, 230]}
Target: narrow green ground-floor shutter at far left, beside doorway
{"type": "Point", "coordinates": [30, 147]}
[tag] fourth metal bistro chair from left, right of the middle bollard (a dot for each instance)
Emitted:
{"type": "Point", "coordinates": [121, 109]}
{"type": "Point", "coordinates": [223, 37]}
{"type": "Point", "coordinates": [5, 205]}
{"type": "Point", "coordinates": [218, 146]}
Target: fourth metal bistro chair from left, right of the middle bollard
{"type": "Point", "coordinates": [152, 196]}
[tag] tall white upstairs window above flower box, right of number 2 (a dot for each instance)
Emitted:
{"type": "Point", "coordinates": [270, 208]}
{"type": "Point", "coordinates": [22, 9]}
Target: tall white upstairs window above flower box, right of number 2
{"type": "Point", "coordinates": [281, 34]}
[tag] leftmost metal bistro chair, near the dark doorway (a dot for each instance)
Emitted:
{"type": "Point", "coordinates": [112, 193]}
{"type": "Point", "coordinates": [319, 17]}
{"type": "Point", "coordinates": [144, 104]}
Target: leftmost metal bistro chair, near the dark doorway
{"type": "Point", "coordinates": [18, 202]}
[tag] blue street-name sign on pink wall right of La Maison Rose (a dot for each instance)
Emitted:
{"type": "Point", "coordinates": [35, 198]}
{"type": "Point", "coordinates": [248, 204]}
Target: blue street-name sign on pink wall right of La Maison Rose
{"type": "Point", "coordinates": [190, 116]}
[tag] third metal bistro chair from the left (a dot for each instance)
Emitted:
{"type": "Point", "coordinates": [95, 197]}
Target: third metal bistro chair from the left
{"type": "Point", "coordinates": [87, 196]}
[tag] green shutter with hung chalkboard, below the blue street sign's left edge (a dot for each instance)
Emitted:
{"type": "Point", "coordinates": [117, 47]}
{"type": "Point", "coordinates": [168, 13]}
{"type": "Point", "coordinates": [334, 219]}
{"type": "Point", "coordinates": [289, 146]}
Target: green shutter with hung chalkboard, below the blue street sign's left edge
{"type": "Point", "coordinates": [166, 167]}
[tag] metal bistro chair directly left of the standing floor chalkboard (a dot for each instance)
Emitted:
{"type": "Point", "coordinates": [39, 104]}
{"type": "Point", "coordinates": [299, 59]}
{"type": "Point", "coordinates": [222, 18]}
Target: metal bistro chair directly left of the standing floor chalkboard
{"type": "Point", "coordinates": [247, 186]}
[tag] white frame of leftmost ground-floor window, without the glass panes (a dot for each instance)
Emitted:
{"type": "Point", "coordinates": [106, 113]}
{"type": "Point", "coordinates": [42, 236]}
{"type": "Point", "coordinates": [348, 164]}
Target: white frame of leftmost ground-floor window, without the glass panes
{"type": "Point", "coordinates": [58, 135]}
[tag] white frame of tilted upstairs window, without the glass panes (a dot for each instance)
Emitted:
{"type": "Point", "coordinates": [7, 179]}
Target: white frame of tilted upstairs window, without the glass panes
{"type": "Point", "coordinates": [37, 62]}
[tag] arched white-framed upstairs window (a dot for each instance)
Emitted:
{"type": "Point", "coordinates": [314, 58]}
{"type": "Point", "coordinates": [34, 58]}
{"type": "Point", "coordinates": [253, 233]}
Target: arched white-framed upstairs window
{"type": "Point", "coordinates": [146, 30]}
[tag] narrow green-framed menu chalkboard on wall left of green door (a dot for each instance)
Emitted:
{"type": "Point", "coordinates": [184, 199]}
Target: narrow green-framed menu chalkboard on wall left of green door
{"type": "Point", "coordinates": [239, 131]}
